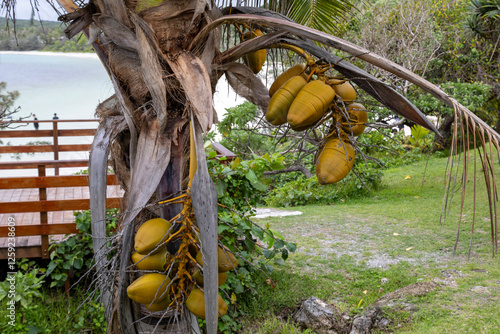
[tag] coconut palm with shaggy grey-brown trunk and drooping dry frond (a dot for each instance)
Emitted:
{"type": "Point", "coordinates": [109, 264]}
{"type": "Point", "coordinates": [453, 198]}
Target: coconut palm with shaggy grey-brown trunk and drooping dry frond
{"type": "Point", "coordinates": [164, 59]}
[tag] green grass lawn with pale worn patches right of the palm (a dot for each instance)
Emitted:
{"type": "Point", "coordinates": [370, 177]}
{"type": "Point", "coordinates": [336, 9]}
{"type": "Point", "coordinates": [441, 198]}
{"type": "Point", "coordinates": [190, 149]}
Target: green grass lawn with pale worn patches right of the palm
{"type": "Point", "coordinates": [345, 249]}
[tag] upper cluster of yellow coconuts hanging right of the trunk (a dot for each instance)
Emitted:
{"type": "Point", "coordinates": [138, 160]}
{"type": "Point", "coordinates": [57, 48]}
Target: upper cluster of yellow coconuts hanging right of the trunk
{"type": "Point", "coordinates": [302, 104]}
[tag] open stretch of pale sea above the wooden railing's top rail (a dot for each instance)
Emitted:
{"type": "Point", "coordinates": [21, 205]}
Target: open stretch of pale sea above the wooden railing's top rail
{"type": "Point", "coordinates": [69, 85]}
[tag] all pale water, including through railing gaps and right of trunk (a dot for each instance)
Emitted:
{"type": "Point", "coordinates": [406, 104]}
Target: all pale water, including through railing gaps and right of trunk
{"type": "Point", "coordinates": [71, 85]}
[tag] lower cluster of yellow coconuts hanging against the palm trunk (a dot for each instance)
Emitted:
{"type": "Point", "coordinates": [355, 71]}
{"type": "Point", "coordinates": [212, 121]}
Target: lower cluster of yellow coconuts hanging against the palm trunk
{"type": "Point", "coordinates": [154, 290]}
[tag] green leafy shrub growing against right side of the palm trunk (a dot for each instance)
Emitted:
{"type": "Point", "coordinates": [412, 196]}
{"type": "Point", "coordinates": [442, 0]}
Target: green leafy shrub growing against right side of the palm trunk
{"type": "Point", "coordinates": [240, 186]}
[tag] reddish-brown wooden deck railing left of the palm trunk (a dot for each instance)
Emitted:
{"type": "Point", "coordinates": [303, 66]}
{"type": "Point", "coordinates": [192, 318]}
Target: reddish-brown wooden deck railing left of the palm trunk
{"type": "Point", "coordinates": [43, 183]}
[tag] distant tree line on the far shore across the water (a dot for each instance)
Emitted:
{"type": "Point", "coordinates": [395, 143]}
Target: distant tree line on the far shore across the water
{"type": "Point", "coordinates": [33, 35]}
